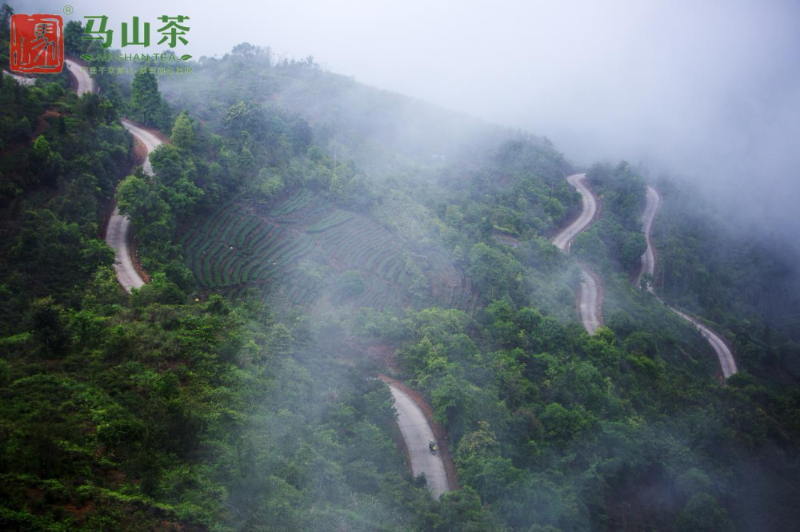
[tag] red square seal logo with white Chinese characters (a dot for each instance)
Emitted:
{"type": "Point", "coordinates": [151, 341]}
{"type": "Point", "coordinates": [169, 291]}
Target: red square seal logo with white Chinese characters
{"type": "Point", "coordinates": [37, 43]}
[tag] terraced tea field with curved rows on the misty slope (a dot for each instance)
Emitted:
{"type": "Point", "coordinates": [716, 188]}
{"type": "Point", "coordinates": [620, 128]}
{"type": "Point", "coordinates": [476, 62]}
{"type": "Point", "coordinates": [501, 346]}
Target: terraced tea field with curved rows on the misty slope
{"type": "Point", "coordinates": [245, 251]}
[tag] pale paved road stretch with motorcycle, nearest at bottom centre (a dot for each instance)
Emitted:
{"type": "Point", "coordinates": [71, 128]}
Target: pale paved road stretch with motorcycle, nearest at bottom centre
{"type": "Point", "coordinates": [417, 433]}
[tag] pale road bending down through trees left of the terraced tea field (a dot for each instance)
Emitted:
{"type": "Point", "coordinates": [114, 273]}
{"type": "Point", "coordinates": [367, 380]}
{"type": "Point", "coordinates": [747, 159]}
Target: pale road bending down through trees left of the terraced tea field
{"type": "Point", "coordinates": [118, 232]}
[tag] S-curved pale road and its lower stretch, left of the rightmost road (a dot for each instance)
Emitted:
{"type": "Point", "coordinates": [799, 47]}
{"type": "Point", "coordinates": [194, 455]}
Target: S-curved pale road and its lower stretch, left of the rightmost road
{"type": "Point", "coordinates": [589, 298]}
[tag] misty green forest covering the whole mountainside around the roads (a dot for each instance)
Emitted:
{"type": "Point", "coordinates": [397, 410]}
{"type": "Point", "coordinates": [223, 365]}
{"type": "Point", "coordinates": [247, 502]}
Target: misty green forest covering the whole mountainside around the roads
{"type": "Point", "coordinates": [304, 234]}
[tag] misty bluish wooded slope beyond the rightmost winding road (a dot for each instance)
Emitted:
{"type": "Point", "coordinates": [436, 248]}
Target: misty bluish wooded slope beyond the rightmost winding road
{"type": "Point", "coordinates": [743, 284]}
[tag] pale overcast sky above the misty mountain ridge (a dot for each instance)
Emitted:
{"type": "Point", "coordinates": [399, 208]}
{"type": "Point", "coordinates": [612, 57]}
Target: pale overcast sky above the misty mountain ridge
{"type": "Point", "coordinates": [709, 90]}
